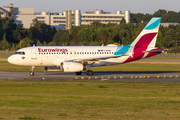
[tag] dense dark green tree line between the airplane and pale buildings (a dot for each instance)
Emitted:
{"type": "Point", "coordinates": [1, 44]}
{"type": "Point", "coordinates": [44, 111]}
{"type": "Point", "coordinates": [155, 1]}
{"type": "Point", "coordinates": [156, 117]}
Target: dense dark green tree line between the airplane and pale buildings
{"type": "Point", "coordinates": [14, 36]}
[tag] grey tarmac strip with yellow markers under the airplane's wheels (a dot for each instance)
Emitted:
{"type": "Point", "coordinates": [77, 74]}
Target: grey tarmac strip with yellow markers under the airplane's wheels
{"type": "Point", "coordinates": [171, 77]}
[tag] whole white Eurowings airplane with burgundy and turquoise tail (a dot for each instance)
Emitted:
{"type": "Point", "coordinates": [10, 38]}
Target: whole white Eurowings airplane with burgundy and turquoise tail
{"type": "Point", "coordinates": [81, 58]}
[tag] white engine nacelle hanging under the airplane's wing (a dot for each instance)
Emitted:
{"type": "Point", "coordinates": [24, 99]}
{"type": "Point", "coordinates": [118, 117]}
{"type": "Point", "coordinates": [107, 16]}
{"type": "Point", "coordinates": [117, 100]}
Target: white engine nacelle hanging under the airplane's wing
{"type": "Point", "coordinates": [72, 67]}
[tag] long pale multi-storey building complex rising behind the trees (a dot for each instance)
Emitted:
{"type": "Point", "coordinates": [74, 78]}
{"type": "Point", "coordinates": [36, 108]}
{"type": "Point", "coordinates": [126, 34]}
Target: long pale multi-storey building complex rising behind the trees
{"type": "Point", "coordinates": [61, 20]}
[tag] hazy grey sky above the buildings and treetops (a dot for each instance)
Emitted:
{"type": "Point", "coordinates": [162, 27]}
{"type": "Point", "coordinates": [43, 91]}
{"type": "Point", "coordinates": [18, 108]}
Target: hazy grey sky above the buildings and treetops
{"type": "Point", "coordinates": [135, 6]}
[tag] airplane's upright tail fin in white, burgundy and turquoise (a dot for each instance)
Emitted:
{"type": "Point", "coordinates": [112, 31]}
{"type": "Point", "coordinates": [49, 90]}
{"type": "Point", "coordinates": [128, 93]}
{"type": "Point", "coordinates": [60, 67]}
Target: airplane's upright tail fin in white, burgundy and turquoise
{"type": "Point", "coordinates": [146, 40]}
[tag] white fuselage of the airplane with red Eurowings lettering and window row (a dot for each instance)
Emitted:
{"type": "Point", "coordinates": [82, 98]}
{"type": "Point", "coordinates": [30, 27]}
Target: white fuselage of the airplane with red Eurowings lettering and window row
{"type": "Point", "coordinates": [54, 55]}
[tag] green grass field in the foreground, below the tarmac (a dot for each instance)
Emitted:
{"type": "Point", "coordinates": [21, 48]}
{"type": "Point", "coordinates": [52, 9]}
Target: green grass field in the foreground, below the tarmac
{"type": "Point", "coordinates": [89, 100]}
